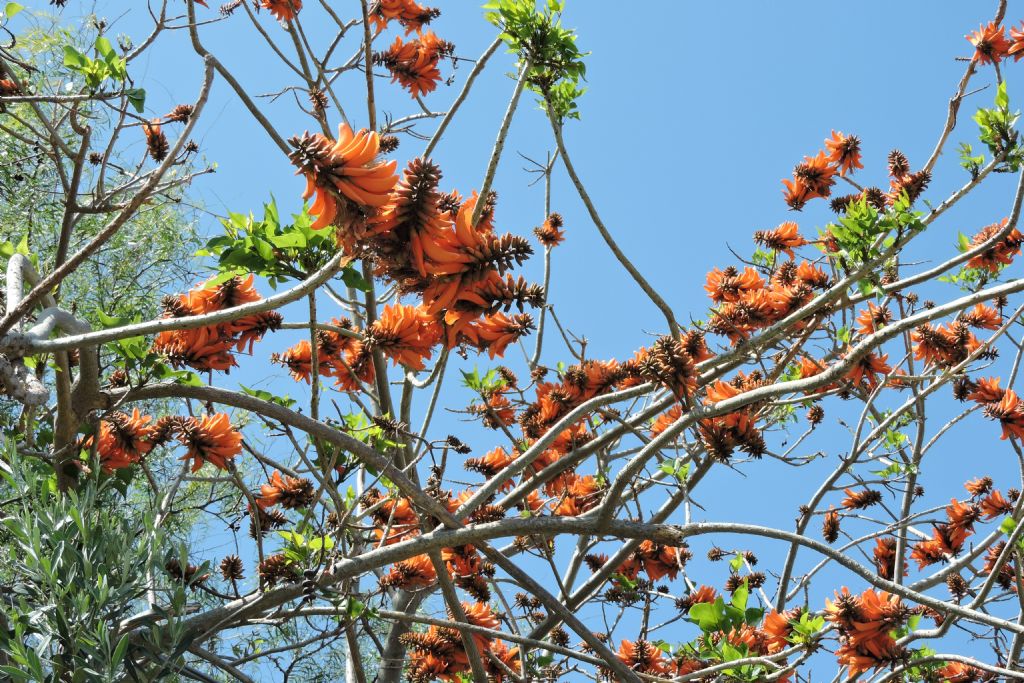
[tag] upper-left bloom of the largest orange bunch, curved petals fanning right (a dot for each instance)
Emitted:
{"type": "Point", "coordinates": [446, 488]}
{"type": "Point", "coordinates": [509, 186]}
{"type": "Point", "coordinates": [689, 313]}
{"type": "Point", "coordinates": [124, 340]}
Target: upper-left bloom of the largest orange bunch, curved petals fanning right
{"type": "Point", "coordinates": [346, 166]}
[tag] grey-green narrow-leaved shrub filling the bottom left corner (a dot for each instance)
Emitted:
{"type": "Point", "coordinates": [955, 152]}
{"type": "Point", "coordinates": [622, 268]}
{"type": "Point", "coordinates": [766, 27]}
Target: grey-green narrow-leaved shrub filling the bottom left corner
{"type": "Point", "coordinates": [77, 565]}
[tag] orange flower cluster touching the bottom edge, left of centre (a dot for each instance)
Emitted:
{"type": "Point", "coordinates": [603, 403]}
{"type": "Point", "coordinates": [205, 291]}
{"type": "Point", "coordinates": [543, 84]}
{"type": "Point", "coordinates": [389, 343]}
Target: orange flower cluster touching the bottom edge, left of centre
{"type": "Point", "coordinates": [440, 653]}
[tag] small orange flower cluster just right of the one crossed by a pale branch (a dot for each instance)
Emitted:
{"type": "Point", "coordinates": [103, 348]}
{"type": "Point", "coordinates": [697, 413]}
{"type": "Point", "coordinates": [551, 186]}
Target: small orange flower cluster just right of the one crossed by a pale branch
{"type": "Point", "coordinates": [344, 358]}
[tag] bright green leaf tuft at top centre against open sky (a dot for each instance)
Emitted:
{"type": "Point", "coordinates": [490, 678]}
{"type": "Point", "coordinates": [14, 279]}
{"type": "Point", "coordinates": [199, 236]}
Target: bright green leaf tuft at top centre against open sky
{"type": "Point", "coordinates": [538, 36]}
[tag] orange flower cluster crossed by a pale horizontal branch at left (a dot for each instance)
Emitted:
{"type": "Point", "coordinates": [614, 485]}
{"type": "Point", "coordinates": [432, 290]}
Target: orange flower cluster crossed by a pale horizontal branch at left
{"type": "Point", "coordinates": [211, 348]}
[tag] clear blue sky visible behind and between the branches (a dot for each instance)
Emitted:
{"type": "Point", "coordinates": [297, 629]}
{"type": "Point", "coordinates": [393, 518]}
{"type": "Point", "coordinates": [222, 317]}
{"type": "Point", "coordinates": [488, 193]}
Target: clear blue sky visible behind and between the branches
{"type": "Point", "coordinates": [695, 113]}
